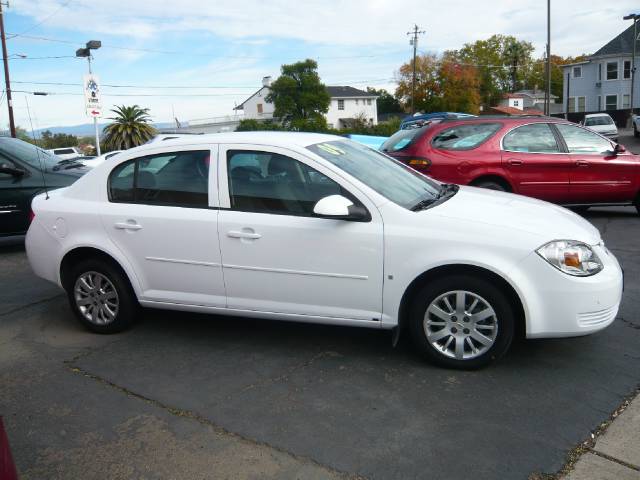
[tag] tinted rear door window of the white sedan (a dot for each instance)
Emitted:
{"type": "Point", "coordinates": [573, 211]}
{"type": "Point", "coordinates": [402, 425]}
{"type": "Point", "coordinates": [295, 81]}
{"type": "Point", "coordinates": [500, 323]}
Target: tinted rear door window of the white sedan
{"type": "Point", "coordinates": [177, 179]}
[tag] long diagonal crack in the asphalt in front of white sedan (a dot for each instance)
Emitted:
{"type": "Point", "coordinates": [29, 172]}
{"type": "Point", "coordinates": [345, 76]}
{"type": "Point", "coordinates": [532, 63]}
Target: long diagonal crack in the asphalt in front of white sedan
{"type": "Point", "coordinates": [192, 415]}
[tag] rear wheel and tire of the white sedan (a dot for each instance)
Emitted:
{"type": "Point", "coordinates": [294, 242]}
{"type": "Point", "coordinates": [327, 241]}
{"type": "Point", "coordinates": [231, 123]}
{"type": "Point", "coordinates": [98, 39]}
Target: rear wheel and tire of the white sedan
{"type": "Point", "coordinates": [101, 297]}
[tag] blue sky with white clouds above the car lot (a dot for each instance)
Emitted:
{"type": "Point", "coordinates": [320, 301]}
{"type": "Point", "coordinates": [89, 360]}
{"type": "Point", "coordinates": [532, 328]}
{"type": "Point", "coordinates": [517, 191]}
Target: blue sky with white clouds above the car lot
{"type": "Point", "coordinates": [193, 59]}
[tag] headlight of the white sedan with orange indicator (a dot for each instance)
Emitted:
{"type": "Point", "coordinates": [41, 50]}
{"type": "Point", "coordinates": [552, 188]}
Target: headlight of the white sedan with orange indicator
{"type": "Point", "coordinates": [571, 257]}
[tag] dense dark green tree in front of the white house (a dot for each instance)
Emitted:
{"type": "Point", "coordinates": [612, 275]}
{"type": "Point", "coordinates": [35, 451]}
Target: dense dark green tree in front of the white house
{"type": "Point", "coordinates": [299, 97]}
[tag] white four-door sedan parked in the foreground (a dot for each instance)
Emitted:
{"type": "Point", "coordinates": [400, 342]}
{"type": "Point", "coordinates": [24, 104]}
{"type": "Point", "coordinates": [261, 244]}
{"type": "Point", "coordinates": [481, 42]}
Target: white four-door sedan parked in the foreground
{"type": "Point", "coordinates": [317, 228]}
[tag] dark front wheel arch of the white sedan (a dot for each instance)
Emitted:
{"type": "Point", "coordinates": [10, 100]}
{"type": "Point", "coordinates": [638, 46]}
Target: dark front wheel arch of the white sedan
{"type": "Point", "coordinates": [433, 274]}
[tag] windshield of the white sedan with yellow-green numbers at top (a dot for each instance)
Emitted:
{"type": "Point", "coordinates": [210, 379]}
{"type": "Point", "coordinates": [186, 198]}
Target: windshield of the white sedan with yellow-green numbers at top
{"type": "Point", "coordinates": [388, 177]}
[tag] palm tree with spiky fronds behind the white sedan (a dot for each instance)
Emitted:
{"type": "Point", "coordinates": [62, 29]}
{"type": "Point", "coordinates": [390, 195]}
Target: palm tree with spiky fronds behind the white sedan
{"type": "Point", "coordinates": [130, 128]}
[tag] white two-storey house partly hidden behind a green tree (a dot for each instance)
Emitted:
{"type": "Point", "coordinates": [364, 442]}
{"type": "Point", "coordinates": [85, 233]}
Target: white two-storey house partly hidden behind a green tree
{"type": "Point", "coordinates": [347, 104]}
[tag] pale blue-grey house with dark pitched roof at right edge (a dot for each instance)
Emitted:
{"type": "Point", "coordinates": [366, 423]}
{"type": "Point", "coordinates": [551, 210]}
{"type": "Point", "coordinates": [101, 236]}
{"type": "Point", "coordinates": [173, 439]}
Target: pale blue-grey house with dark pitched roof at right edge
{"type": "Point", "coordinates": [602, 82]}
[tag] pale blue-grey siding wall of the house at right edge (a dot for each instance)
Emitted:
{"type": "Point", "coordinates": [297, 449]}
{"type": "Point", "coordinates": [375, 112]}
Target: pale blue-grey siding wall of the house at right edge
{"type": "Point", "coordinates": [587, 85]}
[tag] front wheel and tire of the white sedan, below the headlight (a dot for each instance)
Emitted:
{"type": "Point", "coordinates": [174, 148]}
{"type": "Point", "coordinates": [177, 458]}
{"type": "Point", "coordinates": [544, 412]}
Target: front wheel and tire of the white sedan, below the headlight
{"type": "Point", "coordinates": [461, 321]}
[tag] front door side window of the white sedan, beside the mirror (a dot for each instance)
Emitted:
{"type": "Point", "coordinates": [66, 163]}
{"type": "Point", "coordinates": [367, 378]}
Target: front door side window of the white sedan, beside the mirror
{"type": "Point", "coordinates": [267, 182]}
